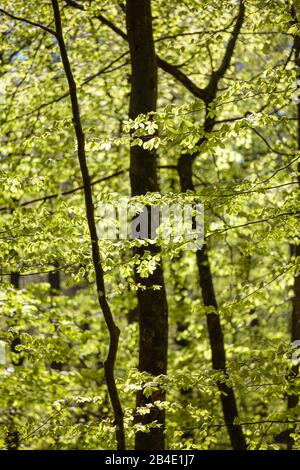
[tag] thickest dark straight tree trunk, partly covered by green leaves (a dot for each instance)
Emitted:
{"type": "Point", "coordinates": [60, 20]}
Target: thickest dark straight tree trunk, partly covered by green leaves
{"type": "Point", "coordinates": [153, 311]}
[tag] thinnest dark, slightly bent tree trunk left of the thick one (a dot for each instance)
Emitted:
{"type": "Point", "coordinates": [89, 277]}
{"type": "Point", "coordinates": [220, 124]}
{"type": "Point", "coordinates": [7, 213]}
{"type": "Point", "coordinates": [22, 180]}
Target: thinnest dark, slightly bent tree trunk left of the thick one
{"type": "Point", "coordinates": [90, 215]}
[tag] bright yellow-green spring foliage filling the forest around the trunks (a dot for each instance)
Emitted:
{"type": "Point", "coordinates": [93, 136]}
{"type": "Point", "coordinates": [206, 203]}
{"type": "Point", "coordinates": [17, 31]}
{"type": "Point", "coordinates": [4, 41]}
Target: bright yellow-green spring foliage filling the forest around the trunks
{"type": "Point", "coordinates": [228, 82]}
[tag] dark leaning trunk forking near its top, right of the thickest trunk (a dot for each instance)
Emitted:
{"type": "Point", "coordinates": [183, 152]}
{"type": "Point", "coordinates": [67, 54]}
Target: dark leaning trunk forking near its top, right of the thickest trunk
{"type": "Point", "coordinates": [185, 166]}
